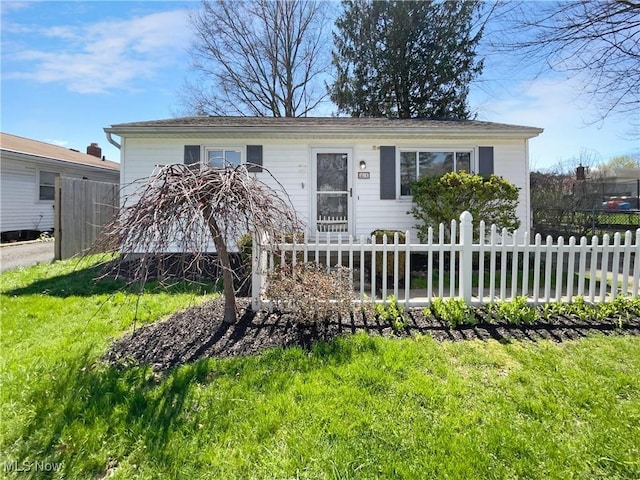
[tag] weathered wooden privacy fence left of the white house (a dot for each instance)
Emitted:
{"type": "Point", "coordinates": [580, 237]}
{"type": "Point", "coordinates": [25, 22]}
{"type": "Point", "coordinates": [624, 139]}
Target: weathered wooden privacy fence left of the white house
{"type": "Point", "coordinates": [82, 209]}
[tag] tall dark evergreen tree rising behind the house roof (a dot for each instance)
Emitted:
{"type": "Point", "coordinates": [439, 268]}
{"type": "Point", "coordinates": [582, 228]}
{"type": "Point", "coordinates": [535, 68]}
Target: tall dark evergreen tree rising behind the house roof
{"type": "Point", "coordinates": [405, 58]}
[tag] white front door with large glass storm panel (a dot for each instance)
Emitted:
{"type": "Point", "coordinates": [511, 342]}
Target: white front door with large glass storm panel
{"type": "Point", "coordinates": [332, 190]}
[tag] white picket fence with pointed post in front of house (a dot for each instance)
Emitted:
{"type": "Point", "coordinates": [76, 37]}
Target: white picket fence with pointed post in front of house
{"type": "Point", "coordinates": [595, 269]}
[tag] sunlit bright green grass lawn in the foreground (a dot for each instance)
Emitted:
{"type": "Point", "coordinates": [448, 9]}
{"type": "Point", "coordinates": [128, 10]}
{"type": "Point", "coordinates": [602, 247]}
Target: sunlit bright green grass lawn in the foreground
{"type": "Point", "coordinates": [358, 407]}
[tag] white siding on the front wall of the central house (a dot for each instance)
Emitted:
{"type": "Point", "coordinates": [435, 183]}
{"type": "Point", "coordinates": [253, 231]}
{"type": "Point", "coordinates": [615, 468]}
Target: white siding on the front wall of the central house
{"type": "Point", "coordinates": [289, 160]}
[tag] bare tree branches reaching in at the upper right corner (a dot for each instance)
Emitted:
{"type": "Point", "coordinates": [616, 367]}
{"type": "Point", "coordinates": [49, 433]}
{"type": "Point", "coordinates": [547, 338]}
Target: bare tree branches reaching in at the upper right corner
{"type": "Point", "coordinates": [597, 40]}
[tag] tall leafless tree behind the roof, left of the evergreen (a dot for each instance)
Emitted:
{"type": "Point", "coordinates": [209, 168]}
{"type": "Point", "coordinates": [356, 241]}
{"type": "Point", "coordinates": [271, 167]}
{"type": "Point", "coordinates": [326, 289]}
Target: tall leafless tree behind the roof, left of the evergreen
{"type": "Point", "coordinates": [259, 57]}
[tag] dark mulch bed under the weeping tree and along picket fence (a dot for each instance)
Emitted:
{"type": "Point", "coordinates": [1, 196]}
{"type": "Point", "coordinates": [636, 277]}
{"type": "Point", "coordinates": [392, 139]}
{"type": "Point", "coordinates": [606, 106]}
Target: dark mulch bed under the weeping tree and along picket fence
{"type": "Point", "coordinates": [199, 333]}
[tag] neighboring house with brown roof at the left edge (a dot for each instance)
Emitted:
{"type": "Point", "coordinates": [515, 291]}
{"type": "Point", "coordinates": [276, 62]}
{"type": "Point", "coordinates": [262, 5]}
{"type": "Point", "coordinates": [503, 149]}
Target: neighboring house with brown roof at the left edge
{"type": "Point", "coordinates": [28, 169]}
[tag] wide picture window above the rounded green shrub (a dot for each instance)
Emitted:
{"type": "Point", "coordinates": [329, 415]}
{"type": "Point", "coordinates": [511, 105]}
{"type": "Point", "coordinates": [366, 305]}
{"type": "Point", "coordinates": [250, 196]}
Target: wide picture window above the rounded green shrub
{"type": "Point", "coordinates": [415, 164]}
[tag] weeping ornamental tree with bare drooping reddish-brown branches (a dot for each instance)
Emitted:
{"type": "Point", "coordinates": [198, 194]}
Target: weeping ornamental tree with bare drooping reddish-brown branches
{"type": "Point", "coordinates": [184, 209]}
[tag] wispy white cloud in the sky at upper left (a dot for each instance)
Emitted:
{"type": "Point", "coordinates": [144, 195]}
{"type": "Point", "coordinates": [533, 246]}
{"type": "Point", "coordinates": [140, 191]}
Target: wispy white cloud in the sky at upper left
{"type": "Point", "coordinates": [104, 56]}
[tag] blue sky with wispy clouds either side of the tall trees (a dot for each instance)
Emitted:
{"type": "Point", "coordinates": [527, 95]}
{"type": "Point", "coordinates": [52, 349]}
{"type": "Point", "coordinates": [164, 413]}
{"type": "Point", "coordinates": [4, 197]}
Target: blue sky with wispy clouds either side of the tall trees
{"type": "Point", "coordinates": [69, 69]}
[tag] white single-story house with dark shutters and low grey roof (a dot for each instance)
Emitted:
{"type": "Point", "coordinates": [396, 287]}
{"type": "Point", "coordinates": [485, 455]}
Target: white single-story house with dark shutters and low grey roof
{"type": "Point", "coordinates": [348, 175]}
